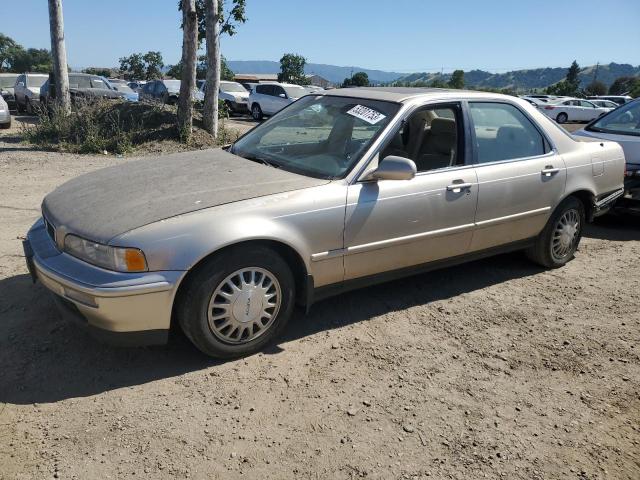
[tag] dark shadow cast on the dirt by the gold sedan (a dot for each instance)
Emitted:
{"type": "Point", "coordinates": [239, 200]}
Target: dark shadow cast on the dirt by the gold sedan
{"type": "Point", "coordinates": [45, 358]}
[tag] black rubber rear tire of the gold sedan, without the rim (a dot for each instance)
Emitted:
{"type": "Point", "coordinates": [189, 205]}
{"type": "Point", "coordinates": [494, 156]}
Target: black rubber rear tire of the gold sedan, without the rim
{"type": "Point", "coordinates": [543, 252]}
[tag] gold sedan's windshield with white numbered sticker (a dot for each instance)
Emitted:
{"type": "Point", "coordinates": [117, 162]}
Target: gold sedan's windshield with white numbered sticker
{"type": "Point", "coordinates": [321, 137]}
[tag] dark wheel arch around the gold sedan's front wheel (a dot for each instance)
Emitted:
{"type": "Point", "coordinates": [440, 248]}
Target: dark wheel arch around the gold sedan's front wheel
{"type": "Point", "coordinates": [293, 258]}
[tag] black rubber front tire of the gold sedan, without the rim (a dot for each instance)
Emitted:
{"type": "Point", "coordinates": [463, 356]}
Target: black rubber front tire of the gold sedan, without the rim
{"type": "Point", "coordinates": [193, 305]}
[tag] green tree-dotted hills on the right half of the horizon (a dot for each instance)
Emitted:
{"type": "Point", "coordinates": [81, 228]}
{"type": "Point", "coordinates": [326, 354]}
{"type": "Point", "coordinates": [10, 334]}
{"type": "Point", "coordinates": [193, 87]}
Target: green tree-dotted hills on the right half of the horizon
{"type": "Point", "coordinates": [530, 78]}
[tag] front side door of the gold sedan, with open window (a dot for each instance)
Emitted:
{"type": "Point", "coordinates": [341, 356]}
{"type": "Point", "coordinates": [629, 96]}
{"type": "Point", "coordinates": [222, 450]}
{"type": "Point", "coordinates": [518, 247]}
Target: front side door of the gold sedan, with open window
{"type": "Point", "coordinates": [397, 224]}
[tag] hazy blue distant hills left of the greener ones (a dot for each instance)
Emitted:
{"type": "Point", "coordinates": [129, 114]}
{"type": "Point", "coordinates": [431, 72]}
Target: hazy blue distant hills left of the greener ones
{"type": "Point", "coordinates": [333, 73]}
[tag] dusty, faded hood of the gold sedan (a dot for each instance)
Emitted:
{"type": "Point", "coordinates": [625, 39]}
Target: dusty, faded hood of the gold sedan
{"type": "Point", "coordinates": [106, 203]}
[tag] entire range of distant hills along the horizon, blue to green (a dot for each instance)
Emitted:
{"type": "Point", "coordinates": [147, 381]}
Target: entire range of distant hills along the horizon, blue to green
{"type": "Point", "coordinates": [526, 79]}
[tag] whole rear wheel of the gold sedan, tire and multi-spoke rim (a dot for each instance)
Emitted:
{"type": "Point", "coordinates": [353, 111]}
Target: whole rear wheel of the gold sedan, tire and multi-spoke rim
{"type": "Point", "coordinates": [558, 242]}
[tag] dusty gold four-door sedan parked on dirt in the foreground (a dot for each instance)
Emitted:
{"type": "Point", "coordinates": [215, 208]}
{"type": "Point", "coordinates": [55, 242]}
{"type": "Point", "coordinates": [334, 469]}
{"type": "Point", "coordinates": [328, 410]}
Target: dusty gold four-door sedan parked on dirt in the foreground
{"type": "Point", "coordinates": [341, 189]}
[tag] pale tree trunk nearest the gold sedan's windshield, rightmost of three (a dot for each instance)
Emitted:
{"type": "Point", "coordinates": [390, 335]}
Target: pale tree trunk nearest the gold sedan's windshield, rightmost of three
{"type": "Point", "coordinates": [210, 113]}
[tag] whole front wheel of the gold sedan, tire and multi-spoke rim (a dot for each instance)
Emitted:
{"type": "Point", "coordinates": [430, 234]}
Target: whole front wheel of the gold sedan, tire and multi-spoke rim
{"type": "Point", "coordinates": [238, 302]}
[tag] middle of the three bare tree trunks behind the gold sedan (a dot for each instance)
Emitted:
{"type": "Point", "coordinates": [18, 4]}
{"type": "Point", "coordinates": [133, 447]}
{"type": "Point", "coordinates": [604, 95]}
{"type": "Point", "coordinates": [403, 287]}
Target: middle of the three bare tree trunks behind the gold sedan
{"type": "Point", "coordinates": [189, 58]}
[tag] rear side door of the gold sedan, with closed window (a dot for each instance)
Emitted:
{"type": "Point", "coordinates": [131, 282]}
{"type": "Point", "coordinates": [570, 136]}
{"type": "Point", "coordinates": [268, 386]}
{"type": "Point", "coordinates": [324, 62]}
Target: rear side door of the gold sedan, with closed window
{"type": "Point", "coordinates": [520, 177]}
